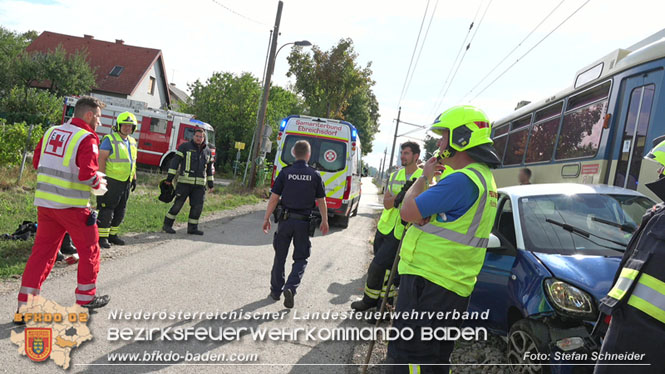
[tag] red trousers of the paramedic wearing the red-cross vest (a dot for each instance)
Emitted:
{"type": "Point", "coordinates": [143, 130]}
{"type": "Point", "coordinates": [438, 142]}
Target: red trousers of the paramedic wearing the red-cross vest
{"type": "Point", "coordinates": [52, 224]}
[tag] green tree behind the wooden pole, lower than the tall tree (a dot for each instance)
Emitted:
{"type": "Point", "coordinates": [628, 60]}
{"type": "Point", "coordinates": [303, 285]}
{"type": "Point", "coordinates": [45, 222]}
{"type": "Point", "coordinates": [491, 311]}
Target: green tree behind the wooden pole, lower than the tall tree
{"type": "Point", "coordinates": [230, 104]}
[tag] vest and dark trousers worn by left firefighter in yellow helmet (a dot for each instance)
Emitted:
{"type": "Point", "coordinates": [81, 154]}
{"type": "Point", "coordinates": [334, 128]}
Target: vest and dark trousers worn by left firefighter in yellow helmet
{"type": "Point", "coordinates": [120, 174]}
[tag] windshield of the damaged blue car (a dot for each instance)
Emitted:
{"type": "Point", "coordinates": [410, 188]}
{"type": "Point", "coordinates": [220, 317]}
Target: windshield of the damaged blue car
{"type": "Point", "coordinates": [598, 214]}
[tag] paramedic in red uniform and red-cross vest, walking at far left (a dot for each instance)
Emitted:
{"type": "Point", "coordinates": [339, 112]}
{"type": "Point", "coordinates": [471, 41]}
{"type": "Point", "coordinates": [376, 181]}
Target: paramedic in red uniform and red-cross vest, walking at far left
{"type": "Point", "coordinates": [66, 162]}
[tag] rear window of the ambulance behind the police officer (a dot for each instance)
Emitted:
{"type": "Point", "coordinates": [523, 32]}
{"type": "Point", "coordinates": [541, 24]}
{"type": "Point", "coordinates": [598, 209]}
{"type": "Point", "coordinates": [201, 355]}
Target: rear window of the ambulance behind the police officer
{"type": "Point", "coordinates": [327, 154]}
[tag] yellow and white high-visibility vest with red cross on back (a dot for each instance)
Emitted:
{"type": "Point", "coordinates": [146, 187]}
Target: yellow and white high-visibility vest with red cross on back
{"type": "Point", "coordinates": [58, 184]}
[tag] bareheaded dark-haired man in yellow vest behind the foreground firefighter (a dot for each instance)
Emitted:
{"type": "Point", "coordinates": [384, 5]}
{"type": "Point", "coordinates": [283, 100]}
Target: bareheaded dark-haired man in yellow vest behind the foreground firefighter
{"type": "Point", "coordinates": [389, 231]}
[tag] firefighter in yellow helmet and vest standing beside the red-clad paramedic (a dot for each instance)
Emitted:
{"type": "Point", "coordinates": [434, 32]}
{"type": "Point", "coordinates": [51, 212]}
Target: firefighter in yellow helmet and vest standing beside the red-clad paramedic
{"type": "Point", "coordinates": [117, 158]}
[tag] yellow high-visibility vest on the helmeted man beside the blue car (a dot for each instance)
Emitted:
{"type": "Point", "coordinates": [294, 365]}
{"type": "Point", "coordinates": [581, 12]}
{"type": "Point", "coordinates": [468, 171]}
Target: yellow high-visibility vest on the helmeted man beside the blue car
{"type": "Point", "coordinates": [451, 254]}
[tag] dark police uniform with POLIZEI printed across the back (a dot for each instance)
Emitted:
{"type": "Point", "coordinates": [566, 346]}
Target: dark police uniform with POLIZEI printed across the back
{"type": "Point", "coordinates": [299, 186]}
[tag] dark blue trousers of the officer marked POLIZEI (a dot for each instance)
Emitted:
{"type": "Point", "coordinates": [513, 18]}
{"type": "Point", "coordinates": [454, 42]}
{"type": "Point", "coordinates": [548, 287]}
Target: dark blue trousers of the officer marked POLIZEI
{"type": "Point", "coordinates": [298, 231]}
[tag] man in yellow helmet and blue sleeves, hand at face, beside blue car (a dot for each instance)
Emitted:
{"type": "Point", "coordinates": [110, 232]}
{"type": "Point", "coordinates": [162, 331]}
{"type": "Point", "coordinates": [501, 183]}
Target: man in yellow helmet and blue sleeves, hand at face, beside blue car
{"type": "Point", "coordinates": [443, 251]}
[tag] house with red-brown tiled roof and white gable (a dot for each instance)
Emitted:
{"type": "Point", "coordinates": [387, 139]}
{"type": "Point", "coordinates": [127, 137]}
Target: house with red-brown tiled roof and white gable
{"type": "Point", "coordinates": [121, 70]}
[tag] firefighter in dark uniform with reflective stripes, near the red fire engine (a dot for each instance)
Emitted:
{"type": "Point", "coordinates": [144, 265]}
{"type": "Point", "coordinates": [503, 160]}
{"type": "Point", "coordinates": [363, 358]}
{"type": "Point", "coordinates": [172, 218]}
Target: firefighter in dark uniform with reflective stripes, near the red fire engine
{"type": "Point", "coordinates": [194, 160]}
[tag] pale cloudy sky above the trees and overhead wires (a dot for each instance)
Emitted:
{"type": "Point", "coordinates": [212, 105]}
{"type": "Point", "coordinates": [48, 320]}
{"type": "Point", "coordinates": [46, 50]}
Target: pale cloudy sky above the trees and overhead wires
{"type": "Point", "coordinates": [200, 37]}
